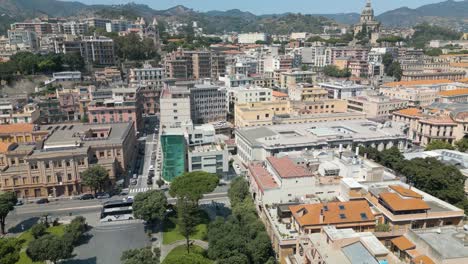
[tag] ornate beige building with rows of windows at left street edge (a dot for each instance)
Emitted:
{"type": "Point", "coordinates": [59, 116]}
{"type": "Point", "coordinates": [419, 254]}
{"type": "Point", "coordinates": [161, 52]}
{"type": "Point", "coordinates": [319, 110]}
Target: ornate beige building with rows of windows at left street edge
{"type": "Point", "coordinates": [54, 167]}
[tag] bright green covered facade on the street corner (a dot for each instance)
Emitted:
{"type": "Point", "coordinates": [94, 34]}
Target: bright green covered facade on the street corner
{"type": "Point", "coordinates": [173, 150]}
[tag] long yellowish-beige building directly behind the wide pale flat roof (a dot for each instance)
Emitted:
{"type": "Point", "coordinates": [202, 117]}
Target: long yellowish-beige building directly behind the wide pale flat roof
{"type": "Point", "coordinates": [290, 112]}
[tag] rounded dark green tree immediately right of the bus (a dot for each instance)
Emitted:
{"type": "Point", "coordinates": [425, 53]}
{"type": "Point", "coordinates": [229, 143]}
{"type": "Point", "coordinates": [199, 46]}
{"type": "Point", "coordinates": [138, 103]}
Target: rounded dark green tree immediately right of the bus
{"type": "Point", "coordinates": [150, 206]}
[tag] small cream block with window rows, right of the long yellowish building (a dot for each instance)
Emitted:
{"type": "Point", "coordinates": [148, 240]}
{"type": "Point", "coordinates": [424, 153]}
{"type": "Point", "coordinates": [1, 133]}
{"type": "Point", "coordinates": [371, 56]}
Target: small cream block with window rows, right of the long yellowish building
{"type": "Point", "coordinates": [376, 106]}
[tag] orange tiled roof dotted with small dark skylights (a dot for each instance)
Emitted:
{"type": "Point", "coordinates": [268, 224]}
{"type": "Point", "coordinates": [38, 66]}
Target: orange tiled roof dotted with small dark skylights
{"type": "Point", "coordinates": [333, 213]}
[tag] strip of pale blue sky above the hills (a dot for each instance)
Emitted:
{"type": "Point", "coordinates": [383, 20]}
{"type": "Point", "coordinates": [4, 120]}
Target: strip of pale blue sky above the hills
{"type": "Point", "coordinates": [275, 6]}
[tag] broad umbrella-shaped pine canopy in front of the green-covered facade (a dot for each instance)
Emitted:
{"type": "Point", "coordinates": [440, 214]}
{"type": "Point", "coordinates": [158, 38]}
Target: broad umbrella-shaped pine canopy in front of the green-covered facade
{"type": "Point", "coordinates": [194, 185]}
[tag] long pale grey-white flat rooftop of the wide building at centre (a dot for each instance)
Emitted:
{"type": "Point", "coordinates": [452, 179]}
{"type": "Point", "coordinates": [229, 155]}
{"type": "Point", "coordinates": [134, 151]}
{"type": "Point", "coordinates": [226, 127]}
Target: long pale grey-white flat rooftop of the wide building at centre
{"type": "Point", "coordinates": [319, 133]}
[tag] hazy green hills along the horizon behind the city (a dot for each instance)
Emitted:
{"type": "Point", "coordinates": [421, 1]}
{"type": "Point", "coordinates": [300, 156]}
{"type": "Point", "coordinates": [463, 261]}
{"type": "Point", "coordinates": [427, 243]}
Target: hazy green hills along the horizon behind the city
{"type": "Point", "coordinates": [450, 13]}
